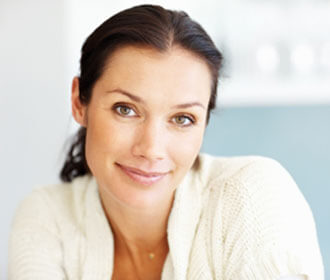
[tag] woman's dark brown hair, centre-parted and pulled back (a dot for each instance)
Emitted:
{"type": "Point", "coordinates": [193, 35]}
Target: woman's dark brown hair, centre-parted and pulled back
{"type": "Point", "coordinates": [144, 25]}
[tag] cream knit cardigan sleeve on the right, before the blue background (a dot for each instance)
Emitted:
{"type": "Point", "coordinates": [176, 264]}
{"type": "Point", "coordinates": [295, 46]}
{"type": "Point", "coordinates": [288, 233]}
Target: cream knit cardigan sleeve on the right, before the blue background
{"type": "Point", "coordinates": [268, 230]}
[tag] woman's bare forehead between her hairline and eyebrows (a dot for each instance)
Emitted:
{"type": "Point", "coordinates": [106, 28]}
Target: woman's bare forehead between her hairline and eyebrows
{"type": "Point", "coordinates": [142, 70]}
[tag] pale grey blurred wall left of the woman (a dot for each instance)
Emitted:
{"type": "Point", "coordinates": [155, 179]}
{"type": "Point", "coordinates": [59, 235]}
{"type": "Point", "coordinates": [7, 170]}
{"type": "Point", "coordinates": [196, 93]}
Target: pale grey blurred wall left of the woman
{"type": "Point", "coordinates": [34, 107]}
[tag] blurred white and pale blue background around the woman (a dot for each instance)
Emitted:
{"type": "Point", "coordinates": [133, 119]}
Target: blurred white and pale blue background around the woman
{"type": "Point", "coordinates": [274, 94]}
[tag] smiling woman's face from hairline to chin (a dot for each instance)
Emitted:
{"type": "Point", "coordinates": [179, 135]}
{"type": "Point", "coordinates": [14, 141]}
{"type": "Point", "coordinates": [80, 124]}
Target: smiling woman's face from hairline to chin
{"type": "Point", "coordinates": [145, 123]}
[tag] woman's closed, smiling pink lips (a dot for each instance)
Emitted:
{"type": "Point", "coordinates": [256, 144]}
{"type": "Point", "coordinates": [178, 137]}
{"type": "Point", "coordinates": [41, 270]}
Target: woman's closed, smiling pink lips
{"type": "Point", "coordinates": [142, 177]}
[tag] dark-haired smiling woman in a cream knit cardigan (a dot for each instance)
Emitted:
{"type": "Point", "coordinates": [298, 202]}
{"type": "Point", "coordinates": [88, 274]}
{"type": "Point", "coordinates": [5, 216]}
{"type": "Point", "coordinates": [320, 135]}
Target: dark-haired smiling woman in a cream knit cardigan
{"type": "Point", "coordinates": [138, 200]}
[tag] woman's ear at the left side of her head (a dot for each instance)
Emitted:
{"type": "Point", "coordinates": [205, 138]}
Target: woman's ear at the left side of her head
{"type": "Point", "coordinates": [78, 109]}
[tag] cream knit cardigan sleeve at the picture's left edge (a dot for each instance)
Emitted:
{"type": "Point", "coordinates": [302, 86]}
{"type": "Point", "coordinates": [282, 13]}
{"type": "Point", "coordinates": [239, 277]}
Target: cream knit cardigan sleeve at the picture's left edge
{"type": "Point", "coordinates": [34, 246]}
